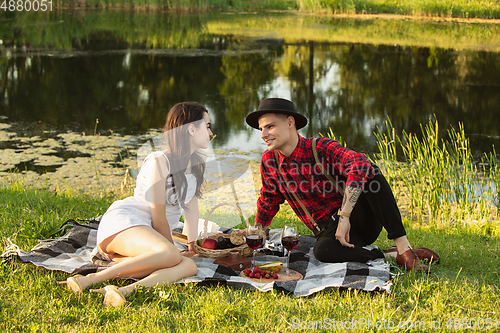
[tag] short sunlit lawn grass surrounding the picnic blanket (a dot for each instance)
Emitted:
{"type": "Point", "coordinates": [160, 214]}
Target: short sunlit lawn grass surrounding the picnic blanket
{"type": "Point", "coordinates": [464, 285]}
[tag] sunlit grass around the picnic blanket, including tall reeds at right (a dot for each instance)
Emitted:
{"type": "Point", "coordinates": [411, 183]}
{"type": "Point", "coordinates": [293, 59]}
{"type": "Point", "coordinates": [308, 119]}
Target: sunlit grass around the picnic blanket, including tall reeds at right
{"type": "Point", "coordinates": [464, 285]}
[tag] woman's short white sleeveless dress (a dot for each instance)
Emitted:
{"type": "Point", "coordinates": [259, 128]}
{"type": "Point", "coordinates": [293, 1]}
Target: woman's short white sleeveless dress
{"type": "Point", "coordinates": [135, 210]}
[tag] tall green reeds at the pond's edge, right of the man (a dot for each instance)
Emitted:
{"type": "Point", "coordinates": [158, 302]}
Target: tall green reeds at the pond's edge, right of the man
{"type": "Point", "coordinates": [439, 181]}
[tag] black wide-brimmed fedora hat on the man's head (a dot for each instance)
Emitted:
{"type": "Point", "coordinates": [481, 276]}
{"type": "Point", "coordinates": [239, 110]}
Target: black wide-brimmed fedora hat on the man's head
{"type": "Point", "coordinates": [276, 105]}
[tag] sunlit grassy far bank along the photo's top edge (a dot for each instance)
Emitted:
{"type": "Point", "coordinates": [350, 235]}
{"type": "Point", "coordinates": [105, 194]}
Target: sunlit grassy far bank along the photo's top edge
{"type": "Point", "coordinates": [477, 11]}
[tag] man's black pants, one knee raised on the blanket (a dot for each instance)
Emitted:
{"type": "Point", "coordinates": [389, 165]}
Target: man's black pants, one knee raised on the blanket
{"type": "Point", "coordinates": [375, 208]}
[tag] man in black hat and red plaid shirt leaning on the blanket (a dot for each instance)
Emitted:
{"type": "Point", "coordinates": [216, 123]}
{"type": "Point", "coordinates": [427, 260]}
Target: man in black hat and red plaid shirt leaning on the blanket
{"type": "Point", "coordinates": [342, 223]}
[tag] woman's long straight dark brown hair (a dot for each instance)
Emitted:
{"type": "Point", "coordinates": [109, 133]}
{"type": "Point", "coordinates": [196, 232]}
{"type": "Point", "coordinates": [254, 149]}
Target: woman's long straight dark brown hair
{"type": "Point", "coordinates": [178, 150]}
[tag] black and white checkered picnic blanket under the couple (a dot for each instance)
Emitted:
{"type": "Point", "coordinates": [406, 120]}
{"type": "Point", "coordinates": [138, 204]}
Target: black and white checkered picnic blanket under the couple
{"type": "Point", "coordinates": [74, 253]}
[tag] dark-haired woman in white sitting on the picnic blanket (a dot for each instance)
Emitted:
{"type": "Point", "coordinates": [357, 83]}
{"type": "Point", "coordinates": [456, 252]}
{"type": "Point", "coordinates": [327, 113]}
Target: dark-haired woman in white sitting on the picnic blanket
{"type": "Point", "coordinates": [136, 232]}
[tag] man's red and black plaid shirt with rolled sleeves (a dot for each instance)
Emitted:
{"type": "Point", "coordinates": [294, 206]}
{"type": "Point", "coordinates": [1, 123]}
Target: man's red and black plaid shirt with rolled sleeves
{"type": "Point", "coordinates": [316, 192]}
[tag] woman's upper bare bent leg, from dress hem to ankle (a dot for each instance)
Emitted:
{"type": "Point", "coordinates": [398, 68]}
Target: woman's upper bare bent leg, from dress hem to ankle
{"type": "Point", "coordinates": [147, 251]}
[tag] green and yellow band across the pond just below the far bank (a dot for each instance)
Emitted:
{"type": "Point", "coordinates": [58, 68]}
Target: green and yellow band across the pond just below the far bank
{"type": "Point", "coordinates": [64, 30]}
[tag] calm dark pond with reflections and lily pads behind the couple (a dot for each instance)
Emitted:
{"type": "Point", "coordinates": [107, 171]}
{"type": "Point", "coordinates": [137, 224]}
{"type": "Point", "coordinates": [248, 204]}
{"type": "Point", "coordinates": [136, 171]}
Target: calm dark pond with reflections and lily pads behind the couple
{"type": "Point", "coordinates": [61, 71]}
